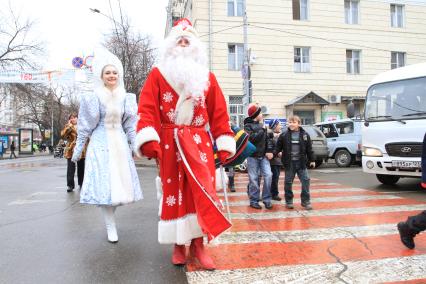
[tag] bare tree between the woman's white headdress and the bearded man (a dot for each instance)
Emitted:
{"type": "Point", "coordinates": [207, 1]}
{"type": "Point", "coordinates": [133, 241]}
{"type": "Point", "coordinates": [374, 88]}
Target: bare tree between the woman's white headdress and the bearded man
{"type": "Point", "coordinates": [135, 52]}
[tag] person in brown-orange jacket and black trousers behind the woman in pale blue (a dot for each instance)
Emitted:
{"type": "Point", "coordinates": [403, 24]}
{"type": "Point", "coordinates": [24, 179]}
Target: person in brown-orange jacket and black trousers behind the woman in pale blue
{"type": "Point", "coordinates": [69, 133]}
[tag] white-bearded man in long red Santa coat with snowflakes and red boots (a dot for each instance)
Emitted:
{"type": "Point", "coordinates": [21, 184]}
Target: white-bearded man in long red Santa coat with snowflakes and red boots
{"type": "Point", "coordinates": [180, 100]}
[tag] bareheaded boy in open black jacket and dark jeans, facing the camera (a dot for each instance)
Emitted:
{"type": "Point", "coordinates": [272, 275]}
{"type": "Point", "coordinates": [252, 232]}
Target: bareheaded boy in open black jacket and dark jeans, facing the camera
{"type": "Point", "coordinates": [295, 148]}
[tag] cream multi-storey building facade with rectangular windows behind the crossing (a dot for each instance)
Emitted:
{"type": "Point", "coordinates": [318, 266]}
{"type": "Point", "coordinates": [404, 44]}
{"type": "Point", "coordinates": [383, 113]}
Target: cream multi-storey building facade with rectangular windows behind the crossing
{"type": "Point", "coordinates": [306, 57]}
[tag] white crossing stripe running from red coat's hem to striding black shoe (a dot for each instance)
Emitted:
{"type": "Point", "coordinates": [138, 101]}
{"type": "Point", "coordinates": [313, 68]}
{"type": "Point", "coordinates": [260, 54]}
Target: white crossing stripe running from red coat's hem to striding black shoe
{"type": "Point", "coordinates": [306, 235]}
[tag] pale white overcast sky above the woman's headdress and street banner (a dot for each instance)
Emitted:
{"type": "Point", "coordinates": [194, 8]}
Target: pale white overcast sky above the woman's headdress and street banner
{"type": "Point", "coordinates": [70, 29]}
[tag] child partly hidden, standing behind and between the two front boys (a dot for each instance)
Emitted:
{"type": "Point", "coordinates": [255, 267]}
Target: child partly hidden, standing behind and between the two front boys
{"type": "Point", "coordinates": [276, 164]}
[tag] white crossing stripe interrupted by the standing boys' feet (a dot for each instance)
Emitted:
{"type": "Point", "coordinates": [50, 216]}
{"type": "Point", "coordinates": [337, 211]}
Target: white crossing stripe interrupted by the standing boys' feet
{"type": "Point", "coordinates": [327, 199]}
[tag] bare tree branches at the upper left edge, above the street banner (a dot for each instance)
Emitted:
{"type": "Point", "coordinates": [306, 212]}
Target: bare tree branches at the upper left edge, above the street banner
{"type": "Point", "coordinates": [18, 46]}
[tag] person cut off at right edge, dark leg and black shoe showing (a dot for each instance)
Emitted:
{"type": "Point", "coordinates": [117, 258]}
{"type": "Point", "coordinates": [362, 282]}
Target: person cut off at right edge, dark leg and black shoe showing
{"type": "Point", "coordinates": [414, 224]}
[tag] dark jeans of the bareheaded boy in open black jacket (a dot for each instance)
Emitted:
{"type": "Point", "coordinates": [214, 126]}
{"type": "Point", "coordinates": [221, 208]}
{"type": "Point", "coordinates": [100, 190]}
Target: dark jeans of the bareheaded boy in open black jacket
{"type": "Point", "coordinates": [302, 173]}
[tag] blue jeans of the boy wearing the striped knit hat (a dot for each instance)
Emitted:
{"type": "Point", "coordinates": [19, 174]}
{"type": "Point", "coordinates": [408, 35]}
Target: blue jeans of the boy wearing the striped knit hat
{"type": "Point", "coordinates": [253, 167]}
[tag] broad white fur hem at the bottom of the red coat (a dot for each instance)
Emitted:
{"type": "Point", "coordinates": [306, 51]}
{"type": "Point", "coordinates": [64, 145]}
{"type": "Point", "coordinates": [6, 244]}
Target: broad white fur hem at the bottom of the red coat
{"type": "Point", "coordinates": [179, 231]}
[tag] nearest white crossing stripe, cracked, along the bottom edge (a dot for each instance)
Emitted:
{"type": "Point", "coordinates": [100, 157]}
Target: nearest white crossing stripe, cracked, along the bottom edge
{"type": "Point", "coordinates": [370, 271]}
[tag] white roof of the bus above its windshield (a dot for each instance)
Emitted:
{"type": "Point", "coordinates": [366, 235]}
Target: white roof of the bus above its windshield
{"type": "Point", "coordinates": [407, 72]}
